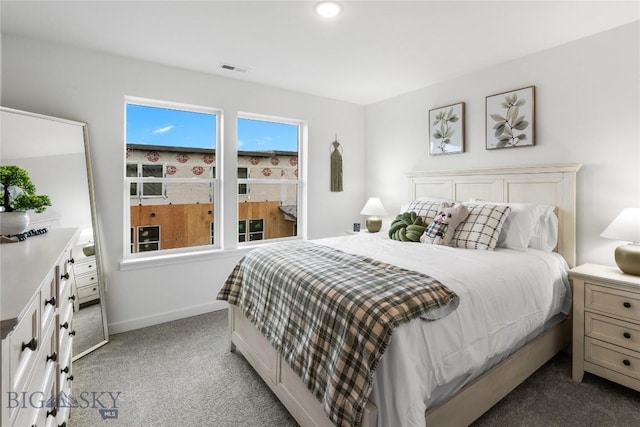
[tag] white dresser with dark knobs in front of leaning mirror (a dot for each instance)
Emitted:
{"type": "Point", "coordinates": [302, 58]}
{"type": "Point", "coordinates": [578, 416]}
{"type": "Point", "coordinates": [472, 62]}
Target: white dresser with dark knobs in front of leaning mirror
{"type": "Point", "coordinates": [37, 329]}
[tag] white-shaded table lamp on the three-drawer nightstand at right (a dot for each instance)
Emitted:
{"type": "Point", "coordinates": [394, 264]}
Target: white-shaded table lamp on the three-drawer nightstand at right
{"type": "Point", "coordinates": [626, 226]}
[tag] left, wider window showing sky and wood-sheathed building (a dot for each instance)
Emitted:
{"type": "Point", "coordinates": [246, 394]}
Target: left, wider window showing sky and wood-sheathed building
{"type": "Point", "coordinates": [170, 175]}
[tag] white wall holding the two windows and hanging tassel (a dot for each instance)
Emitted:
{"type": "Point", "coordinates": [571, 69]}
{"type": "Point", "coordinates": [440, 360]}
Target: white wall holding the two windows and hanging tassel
{"type": "Point", "coordinates": [76, 84]}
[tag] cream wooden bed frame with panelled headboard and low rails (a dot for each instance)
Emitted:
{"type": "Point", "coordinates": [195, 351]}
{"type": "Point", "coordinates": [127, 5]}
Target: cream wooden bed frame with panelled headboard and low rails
{"type": "Point", "coordinates": [549, 184]}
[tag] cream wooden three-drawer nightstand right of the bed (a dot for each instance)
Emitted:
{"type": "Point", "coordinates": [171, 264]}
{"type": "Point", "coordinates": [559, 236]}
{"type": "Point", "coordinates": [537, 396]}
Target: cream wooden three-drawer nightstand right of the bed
{"type": "Point", "coordinates": [606, 324]}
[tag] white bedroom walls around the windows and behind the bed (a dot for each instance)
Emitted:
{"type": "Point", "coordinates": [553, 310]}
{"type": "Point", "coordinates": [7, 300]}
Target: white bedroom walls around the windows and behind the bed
{"type": "Point", "coordinates": [587, 108]}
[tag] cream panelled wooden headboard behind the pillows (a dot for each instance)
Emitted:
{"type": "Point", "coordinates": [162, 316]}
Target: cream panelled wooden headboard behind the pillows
{"type": "Point", "coordinates": [550, 184]}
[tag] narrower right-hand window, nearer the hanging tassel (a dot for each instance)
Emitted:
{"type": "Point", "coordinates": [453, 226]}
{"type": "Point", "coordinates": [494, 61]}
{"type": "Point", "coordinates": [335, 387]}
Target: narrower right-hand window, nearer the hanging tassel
{"type": "Point", "coordinates": [268, 151]}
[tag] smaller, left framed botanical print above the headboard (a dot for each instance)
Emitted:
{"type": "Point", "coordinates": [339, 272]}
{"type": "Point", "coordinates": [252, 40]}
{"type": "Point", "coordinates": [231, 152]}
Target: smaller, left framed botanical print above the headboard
{"type": "Point", "coordinates": [446, 129]}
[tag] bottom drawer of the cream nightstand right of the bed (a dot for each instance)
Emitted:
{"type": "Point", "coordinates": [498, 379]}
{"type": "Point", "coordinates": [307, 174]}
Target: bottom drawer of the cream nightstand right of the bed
{"type": "Point", "coordinates": [612, 357]}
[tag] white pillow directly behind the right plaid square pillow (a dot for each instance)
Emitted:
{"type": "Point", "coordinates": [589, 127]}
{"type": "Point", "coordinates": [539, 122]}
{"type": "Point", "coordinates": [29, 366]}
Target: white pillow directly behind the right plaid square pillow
{"type": "Point", "coordinates": [520, 225]}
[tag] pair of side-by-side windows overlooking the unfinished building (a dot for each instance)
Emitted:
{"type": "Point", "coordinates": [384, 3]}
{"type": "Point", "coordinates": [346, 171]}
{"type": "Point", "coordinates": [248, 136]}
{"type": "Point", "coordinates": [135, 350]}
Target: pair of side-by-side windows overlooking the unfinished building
{"type": "Point", "coordinates": [173, 179]}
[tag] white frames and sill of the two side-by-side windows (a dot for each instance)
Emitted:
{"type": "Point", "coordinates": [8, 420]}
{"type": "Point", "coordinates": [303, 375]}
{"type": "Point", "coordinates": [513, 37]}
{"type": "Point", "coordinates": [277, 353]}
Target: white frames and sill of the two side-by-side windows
{"type": "Point", "coordinates": [225, 191]}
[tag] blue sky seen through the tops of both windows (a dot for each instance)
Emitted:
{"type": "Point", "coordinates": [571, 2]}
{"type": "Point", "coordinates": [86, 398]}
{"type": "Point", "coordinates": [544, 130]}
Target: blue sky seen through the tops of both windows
{"type": "Point", "coordinates": [166, 127]}
